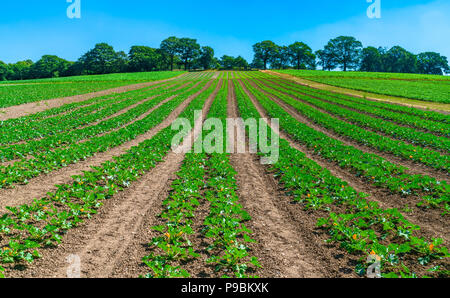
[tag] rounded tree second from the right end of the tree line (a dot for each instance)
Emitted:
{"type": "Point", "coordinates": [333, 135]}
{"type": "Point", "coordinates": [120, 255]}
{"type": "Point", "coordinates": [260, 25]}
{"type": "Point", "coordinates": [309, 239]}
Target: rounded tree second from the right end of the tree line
{"type": "Point", "coordinates": [399, 60]}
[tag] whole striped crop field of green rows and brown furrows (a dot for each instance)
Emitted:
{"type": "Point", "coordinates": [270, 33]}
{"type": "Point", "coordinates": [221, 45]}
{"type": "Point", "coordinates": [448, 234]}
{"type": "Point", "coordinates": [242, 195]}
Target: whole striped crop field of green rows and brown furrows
{"type": "Point", "coordinates": [357, 182]}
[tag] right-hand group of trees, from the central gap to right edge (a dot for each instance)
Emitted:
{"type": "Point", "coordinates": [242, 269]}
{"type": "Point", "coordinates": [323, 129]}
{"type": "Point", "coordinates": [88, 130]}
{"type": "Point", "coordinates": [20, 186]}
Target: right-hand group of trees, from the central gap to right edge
{"type": "Point", "coordinates": [347, 53]}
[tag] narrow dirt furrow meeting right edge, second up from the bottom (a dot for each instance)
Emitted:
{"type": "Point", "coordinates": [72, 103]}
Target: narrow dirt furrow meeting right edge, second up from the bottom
{"type": "Point", "coordinates": [412, 168]}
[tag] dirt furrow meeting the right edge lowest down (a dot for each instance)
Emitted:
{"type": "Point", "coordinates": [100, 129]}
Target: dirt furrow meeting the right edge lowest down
{"type": "Point", "coordinates": [432, 223]}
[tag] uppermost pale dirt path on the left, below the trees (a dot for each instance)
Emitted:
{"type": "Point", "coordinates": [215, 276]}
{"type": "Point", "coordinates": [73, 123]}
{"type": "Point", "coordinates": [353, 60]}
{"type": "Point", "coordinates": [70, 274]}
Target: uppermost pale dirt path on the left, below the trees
{"type": "Point", "coordinates": [35, 107]}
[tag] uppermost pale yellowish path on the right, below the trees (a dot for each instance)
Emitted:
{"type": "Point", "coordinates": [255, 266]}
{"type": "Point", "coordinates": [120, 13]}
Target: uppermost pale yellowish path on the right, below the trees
{"type": "Point", "coordinates": [423, 105]}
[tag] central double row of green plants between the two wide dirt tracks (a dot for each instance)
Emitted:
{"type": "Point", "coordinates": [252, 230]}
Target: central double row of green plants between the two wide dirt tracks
{"type": "Point", "coordinates": [203, 178]}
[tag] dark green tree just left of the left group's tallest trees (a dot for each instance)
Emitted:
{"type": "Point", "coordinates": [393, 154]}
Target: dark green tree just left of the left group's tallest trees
{"type": "Point", "coordinates": [142, 58]}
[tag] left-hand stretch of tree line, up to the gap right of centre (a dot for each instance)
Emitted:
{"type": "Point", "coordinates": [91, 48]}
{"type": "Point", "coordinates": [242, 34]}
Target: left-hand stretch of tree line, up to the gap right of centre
{"type": "Point", "coordinates": [174, 52]}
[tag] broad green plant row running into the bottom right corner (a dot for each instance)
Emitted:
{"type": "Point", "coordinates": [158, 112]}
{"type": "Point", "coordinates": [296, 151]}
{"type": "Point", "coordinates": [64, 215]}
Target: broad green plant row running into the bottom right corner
{"type": "Point", "coordinates": [358, 225]}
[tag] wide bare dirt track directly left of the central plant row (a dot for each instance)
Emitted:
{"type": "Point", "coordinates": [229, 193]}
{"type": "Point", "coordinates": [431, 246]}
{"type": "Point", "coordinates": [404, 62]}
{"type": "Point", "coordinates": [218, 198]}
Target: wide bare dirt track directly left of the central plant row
{"type": "Point", "coordinates": [113, 243]}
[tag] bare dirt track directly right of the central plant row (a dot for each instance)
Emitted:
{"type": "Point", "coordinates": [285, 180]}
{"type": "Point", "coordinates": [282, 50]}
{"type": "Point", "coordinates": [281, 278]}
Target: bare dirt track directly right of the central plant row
{"type": "Point", "coordinates": [280, 249]}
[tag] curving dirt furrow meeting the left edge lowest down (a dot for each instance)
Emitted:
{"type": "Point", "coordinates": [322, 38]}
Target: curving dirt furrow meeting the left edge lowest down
{"type": "Point", "coordinates": [41, 185]}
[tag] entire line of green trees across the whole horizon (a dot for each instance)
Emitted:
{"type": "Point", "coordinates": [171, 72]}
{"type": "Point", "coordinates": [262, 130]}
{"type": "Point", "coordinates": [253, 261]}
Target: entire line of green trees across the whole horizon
{"type": "Point", "coordinates": [343, 52]}
